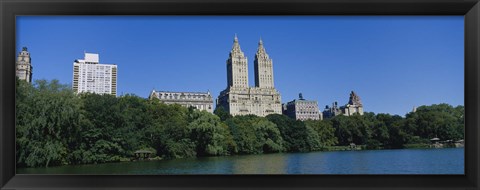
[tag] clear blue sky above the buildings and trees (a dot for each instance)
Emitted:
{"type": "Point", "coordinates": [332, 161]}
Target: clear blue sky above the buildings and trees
{"type": "Point", "coordinates": [392, 62]}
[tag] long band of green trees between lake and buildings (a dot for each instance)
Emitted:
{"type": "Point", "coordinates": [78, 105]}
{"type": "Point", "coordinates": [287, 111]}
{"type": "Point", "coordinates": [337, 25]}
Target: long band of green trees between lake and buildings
{"type": "Point", "coordinates": [56, 127]}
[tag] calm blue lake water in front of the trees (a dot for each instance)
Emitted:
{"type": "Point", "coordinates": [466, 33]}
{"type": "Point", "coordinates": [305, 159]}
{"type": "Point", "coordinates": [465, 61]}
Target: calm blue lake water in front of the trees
{"type": "Point", "coordinates": [400, 161]}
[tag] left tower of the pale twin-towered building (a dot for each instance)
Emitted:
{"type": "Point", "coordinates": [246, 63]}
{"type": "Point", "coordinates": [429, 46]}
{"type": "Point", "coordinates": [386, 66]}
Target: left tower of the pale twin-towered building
{"type": "Point", "coordinates": [237, 68]}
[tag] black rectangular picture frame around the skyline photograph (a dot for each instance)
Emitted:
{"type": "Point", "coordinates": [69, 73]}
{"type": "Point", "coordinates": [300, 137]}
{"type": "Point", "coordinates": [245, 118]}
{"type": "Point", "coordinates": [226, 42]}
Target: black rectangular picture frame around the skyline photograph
{"type": "Point", "coordinates": [9, 9]}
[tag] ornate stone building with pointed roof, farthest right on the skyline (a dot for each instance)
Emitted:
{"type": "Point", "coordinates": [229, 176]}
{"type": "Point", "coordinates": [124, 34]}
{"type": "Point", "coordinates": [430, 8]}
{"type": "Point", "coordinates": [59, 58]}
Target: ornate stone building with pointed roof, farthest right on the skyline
{"type": "Point", "coordinates": [354, 106]}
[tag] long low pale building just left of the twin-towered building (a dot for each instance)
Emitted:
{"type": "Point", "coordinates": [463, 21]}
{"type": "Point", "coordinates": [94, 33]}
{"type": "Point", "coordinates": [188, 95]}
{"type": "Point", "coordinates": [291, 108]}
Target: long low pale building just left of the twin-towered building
{"type": "Point", "coordinates": [197, 100]}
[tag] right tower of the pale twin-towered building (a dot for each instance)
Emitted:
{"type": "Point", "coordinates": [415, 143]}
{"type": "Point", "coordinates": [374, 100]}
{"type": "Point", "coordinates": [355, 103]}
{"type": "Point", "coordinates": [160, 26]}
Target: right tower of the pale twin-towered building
{"type": "Point", "coordinates": [263, 68]}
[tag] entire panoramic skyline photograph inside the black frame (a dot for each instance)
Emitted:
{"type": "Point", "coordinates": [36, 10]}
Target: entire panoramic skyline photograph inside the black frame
{"type": "Point", "coordinates": [162, 95]}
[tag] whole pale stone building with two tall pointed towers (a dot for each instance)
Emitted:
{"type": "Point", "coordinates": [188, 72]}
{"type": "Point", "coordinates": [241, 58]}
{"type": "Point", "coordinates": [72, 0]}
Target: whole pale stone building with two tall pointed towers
{"type": "Point", "coordinates": [240, 99]}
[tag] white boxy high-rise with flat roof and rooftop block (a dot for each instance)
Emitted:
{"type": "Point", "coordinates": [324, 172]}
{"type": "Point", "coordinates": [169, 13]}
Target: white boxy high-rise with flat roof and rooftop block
{"type": "Point", "coordinates": [91, 76]}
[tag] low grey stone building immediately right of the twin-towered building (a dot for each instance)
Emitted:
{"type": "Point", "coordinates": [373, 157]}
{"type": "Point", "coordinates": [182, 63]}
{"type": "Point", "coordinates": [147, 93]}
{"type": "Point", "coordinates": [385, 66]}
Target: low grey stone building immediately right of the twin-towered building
{"type": "Point", "coordinates": [301, 109]}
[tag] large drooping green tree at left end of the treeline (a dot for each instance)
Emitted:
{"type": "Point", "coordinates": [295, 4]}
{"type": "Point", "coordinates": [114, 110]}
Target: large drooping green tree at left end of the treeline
{"type": "Point", "coordinates": [47, 124]}
